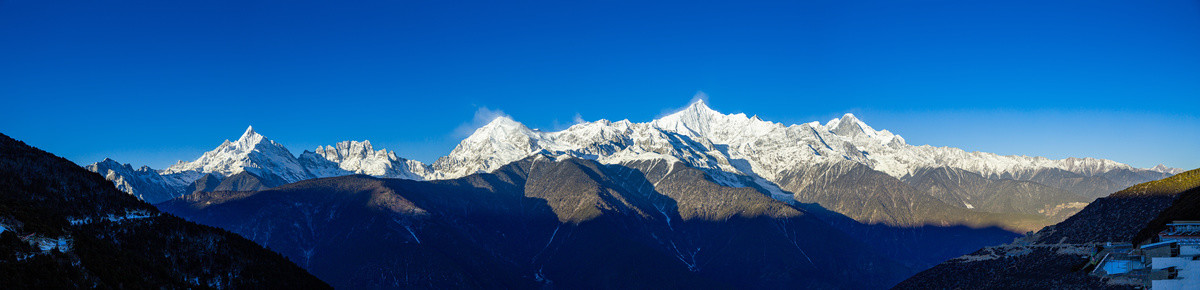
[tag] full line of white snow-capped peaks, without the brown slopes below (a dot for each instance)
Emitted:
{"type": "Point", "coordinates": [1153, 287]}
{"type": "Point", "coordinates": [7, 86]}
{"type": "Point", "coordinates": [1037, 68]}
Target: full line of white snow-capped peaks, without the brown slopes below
{"type": "Point", "coordinates": [724, 144]}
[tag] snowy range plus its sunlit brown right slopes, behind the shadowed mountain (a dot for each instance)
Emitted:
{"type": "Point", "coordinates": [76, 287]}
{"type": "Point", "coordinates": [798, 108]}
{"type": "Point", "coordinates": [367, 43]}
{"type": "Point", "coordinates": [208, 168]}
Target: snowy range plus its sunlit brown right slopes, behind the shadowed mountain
{"type": "Point", "coordinates": [790, 164]}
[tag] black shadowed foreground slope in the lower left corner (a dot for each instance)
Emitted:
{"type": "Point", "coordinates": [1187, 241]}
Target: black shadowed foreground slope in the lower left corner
{"type": "Point", "coordinates": [63, 227]}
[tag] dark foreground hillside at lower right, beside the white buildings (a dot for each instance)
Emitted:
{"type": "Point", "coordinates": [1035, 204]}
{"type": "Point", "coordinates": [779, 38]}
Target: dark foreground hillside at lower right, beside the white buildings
{"type": "Point", "coordinates": [1055, 256]}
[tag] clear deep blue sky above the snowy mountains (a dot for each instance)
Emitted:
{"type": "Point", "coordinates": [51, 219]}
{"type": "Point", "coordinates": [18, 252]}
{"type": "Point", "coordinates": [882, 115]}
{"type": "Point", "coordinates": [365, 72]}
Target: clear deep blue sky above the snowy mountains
{"type": "Point", "coordinates": [154, 82]}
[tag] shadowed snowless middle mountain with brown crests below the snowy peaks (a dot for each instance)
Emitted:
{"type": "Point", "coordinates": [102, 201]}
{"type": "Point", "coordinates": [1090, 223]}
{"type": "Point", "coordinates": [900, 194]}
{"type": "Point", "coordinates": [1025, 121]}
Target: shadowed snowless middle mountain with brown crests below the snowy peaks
{"type": "Point", "coordinates": [544, 221]}
